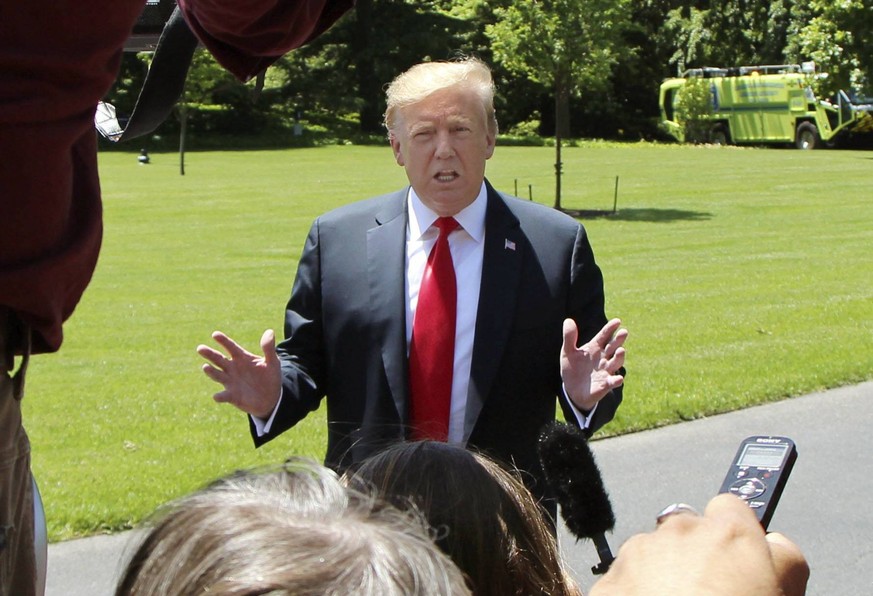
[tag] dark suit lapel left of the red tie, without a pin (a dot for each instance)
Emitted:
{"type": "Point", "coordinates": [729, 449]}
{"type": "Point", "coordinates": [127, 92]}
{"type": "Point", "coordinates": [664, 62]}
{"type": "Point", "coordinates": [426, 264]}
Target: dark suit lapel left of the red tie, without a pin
{"type": "Point", "coordinates": [386, 264]}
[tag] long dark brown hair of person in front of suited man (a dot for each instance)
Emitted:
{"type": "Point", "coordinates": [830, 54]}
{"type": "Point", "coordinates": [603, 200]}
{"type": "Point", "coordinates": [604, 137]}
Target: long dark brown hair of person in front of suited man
{"type": "Point", "coordinates": [483, 516]}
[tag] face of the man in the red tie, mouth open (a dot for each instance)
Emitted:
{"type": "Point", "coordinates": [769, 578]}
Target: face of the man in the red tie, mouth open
{"type": "Point", "coordinates": [443, 142]}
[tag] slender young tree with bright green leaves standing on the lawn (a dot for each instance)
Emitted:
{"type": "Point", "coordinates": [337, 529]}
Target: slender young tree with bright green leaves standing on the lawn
{"type": "Point", "coordinates": [566, 45]}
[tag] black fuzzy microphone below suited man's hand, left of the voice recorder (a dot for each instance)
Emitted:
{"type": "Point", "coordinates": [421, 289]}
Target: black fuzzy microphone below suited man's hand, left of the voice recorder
{"type": "Point", "coordinates": [572, 474]}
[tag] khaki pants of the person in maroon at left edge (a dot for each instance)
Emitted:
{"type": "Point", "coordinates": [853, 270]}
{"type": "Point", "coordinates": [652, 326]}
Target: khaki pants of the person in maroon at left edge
{"type": "Point", "coordinates": [17, 558]}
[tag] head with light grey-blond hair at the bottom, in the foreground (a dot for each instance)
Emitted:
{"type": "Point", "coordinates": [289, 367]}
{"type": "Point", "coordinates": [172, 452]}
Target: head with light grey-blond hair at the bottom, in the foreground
{"type": "Point", "coordinates": [291, 530]}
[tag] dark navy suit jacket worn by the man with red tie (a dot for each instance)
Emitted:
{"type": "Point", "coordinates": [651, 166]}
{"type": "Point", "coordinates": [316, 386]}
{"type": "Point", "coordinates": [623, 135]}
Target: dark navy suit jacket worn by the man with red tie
{"type": "Point", "coordinates": [346, 338]}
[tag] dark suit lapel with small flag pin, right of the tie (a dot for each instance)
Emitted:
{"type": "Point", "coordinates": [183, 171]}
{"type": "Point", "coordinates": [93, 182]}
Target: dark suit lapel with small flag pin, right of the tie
{"type": "Point", "coordinates": [501, 274]}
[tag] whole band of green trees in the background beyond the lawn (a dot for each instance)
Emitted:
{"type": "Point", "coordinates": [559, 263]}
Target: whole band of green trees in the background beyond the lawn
{"type": "Point", "coordinates": [599, 60]}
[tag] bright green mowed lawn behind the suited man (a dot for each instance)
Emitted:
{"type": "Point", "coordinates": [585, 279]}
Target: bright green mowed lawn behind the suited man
{"type": "Point", "coordinates": [743, 275]}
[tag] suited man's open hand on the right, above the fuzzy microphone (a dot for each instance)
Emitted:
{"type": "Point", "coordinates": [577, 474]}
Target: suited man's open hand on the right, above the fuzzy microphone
{"type": "Point", "coordinates": [591, 370]}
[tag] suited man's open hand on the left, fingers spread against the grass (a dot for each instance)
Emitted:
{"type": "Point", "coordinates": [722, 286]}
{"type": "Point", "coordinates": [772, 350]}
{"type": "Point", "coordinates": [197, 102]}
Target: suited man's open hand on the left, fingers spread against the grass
{"type": "Point", "coordinates": [252, 383]}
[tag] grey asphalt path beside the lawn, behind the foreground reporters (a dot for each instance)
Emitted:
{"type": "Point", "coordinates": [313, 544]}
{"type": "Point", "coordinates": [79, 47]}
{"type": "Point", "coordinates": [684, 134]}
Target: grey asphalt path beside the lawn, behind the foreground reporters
{"type": "Point", "coordinates": [825, 507]}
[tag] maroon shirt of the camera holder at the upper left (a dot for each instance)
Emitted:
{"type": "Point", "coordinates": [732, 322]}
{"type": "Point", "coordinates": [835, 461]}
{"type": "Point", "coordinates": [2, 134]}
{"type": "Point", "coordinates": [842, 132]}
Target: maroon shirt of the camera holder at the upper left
{"type": "Point", "coordinates": [58, 58]}
